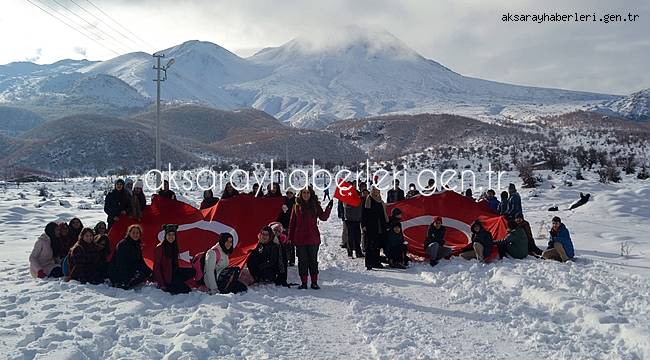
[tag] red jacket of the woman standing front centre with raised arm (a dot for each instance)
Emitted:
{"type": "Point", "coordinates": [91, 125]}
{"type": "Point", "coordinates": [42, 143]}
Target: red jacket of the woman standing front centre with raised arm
{"type": "Point", "coordinates": [303, 226]}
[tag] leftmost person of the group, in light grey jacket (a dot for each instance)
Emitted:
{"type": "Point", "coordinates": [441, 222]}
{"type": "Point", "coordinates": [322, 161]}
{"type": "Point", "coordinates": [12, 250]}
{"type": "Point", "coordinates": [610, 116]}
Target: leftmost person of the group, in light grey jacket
{"type": "Point", "coordinates": [42, 261]}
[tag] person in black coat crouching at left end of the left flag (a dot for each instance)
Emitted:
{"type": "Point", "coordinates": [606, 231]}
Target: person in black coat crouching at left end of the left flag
{"type": "Point", "coordinates": [127, 268]}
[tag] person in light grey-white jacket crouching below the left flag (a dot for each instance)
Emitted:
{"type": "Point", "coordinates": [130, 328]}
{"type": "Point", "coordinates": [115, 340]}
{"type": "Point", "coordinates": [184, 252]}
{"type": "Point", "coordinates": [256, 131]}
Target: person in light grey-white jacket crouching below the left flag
{"type": "Point", "coordinates": [217, 276]}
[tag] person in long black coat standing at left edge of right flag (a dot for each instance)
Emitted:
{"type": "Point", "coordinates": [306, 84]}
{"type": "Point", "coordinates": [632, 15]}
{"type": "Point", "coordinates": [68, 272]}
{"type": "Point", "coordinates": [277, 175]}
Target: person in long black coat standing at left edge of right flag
{"type": "Point", "coordinates": [374, 224]}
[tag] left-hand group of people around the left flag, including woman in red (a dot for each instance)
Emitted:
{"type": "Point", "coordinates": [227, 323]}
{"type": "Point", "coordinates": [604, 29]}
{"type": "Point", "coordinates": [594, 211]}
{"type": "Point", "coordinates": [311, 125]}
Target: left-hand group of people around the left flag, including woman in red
{"type": "Point", "coordinates": [84, 254]}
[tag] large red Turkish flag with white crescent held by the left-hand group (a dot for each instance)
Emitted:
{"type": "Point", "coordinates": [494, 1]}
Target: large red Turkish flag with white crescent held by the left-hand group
{"type": "Point", "coordinates": [242, 216]}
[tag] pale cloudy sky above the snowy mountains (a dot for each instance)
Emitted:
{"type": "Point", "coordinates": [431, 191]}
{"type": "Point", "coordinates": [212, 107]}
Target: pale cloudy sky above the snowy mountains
{"type": "Point", "coordinates": [467, 36]}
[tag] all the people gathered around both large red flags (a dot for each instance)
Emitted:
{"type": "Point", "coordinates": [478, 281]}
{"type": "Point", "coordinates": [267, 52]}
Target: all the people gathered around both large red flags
{"type": "Point", "coordinates": [84, 254]}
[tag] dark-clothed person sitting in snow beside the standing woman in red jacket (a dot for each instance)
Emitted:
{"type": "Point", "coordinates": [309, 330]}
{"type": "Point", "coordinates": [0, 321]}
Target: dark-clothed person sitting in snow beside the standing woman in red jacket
{"type": "Point", "coordinates": [264, 262]}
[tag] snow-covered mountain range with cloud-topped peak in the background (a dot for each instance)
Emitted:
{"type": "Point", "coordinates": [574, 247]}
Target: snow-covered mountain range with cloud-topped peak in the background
{"type": "Point", "coordinates": [308, 82]}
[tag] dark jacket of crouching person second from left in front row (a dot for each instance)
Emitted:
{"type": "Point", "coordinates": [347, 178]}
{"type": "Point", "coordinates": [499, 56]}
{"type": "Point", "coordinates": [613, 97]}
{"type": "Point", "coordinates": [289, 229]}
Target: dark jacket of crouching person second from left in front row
{"type": "Point", "coordinates": [86, 263]}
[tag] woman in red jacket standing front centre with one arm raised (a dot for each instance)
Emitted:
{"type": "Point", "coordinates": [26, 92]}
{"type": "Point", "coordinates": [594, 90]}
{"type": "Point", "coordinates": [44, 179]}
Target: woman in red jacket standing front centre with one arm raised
{"type": "Point", "coordinates": [304, 234]}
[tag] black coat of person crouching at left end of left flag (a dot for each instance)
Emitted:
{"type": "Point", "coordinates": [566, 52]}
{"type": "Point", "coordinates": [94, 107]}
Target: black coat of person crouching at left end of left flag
{"type": "Point", "coordinates": [127, 261]}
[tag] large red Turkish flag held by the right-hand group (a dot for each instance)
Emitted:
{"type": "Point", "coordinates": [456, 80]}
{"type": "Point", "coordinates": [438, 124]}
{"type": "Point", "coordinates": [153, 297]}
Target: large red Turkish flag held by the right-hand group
{"type": "Point", "coordinates": [458, 212]}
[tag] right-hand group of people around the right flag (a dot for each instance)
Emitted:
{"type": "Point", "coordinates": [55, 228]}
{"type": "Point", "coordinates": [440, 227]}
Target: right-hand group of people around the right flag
{"type": "Point", "coordinates": [368, 225]}
